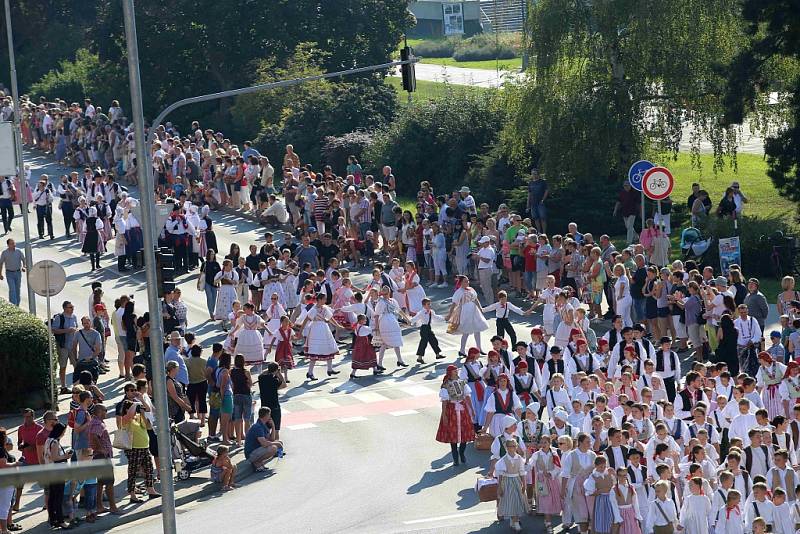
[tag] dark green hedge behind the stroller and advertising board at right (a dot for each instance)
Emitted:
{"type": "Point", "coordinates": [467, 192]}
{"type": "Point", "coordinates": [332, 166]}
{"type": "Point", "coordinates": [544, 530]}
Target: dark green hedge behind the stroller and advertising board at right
{"type": "Point", "coordinates": [756, 253]}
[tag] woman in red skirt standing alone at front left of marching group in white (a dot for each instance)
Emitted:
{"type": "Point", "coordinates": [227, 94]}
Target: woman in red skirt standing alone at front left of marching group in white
{"type": "Point", "coordinates": [455, 424]}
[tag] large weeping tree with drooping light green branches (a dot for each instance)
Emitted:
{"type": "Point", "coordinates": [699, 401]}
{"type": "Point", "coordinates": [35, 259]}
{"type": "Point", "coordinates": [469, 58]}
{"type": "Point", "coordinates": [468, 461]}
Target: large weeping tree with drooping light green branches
{"type": "Point", "coordinates": [613, 80]}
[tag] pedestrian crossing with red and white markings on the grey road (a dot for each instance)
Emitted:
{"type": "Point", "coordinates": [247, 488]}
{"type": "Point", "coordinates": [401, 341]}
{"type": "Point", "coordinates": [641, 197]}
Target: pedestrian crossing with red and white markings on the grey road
{"type": "Point", "coordinates": [351, 402]}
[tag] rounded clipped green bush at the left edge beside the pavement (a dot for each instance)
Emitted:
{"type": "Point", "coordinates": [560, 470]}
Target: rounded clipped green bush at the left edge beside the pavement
{"type": "Point", "coordinates": [26, 379]}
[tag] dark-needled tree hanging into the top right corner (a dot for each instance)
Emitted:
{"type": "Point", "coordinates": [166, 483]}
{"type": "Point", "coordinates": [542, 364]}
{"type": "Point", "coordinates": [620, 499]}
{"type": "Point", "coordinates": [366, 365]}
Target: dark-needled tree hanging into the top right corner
{"type": "Point", "coordinates": [770, 61]}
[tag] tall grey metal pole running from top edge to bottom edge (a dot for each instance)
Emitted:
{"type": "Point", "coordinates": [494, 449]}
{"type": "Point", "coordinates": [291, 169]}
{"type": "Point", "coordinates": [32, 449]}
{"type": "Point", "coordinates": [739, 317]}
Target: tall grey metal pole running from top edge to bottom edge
{"type": "Point", "coordinates": [154, 305]}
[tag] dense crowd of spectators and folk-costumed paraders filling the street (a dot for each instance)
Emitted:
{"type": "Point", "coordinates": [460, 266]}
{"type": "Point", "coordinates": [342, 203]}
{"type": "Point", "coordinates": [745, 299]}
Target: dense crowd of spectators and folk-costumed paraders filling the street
{"type": "Point", "coordinates": [604, 430]}
